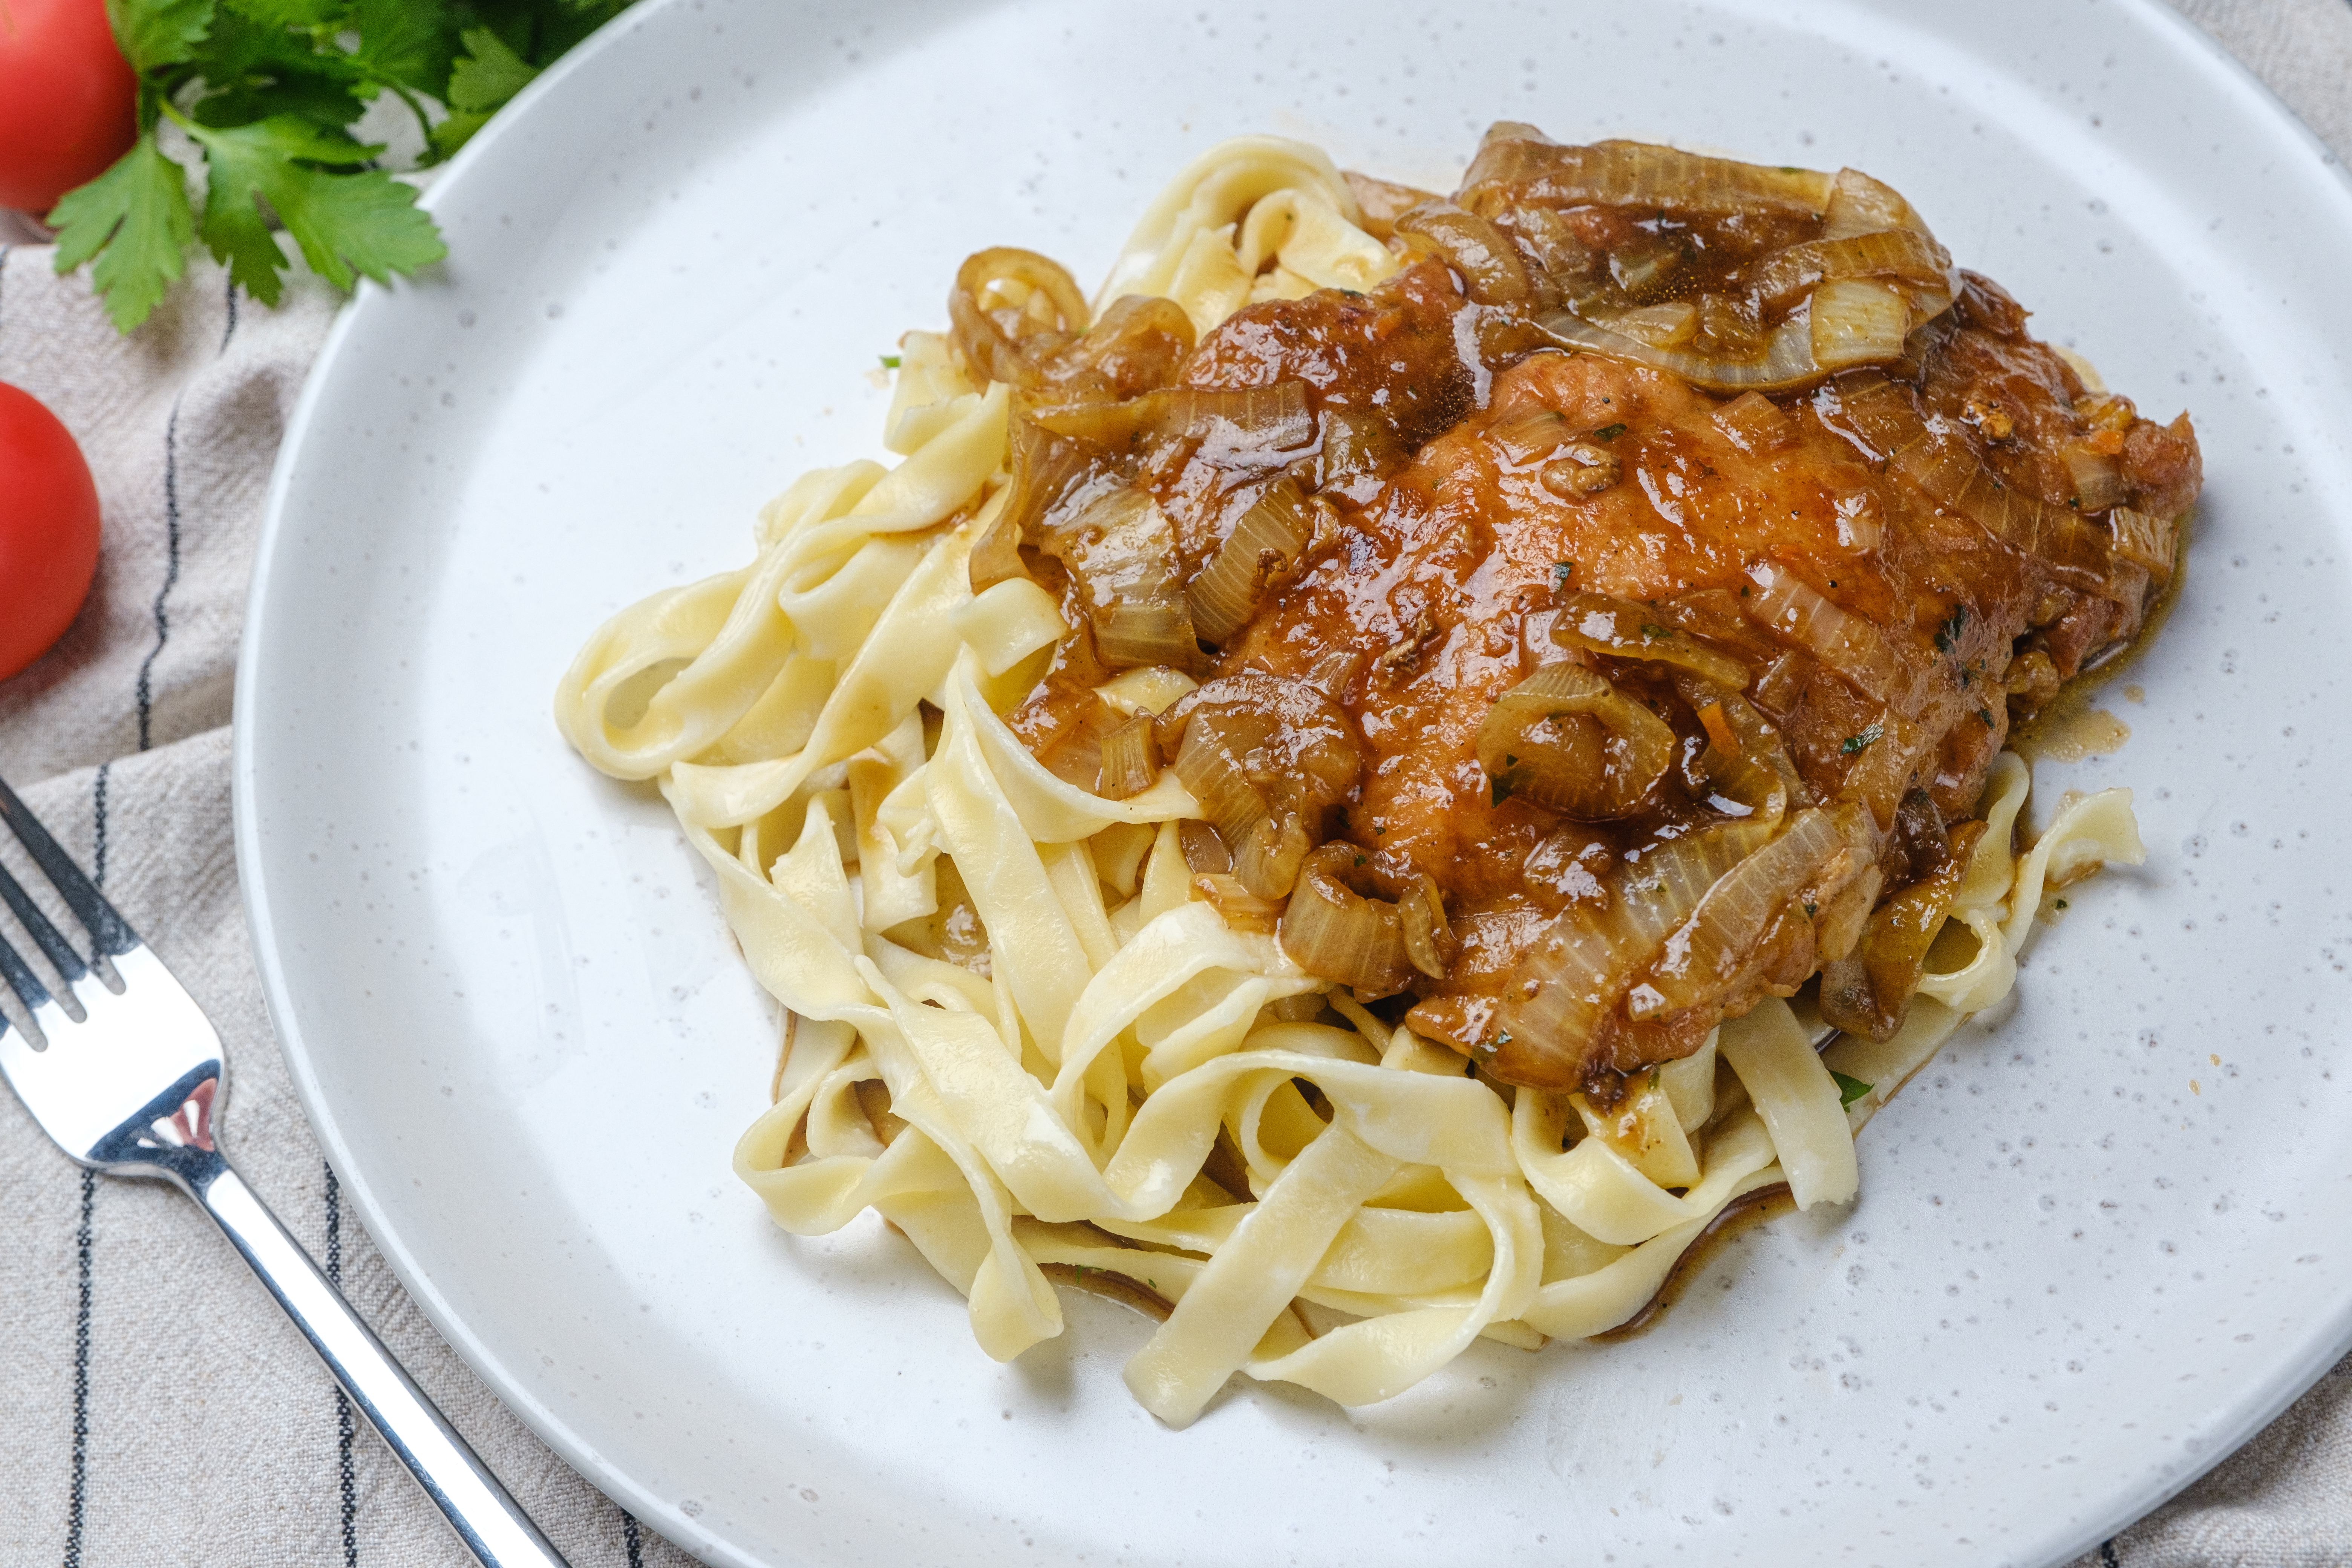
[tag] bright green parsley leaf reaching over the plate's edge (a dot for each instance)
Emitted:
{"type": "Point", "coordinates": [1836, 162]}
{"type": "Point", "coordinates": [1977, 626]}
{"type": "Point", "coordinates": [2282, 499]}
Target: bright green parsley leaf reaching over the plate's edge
{"type": "Point", "coordinates": [361, 222]}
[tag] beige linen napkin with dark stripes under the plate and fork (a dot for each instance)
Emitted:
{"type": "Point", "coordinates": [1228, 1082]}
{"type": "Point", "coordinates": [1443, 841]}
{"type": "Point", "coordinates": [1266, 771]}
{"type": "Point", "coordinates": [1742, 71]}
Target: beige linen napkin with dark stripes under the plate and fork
{"type": "Point", "coordinates": [154, 1405]}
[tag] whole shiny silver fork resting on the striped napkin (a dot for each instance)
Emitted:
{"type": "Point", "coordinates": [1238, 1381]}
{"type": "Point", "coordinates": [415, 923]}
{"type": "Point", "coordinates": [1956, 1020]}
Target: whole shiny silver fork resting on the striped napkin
{"type": "Point", "coordinates": [126, 1073]}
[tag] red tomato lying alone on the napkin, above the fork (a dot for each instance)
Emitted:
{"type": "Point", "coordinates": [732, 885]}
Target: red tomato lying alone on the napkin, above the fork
{"type": "Point", "coordinates": [48, 530]}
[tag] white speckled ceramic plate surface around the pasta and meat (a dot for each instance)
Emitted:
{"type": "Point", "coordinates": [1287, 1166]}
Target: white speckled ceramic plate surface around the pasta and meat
{"type": "Point", "coordinates": [2097, 1245]}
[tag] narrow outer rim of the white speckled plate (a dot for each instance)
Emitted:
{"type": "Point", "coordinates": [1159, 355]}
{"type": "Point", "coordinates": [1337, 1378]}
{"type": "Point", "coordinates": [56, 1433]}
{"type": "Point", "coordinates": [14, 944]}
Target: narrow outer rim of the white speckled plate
{"type": "Point", "coordinates": [2323, 1351]}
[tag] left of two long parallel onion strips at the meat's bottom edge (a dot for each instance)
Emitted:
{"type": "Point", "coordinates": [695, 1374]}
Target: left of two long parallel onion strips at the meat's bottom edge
{"type": "Point", "coordinates": [1563, 996]}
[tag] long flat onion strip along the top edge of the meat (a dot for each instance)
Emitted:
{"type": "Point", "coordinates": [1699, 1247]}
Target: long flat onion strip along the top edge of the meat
{"type": "Point", "coordinates": [1521, 168]}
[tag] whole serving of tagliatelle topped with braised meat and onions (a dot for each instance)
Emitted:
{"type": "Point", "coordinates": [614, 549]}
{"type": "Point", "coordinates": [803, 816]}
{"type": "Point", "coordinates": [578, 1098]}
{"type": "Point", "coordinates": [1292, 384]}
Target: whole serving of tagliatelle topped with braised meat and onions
{"type": "Point", "coordinates": [1339, 789]}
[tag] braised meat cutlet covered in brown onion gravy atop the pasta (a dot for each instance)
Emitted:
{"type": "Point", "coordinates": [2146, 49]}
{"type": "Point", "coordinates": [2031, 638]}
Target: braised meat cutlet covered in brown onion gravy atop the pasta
{"type": "Point", "coordinates": [1612, 617]}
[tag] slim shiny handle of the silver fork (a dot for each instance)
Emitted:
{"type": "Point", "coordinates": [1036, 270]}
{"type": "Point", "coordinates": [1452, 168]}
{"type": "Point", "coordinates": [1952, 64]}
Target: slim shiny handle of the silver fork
{"type": "Point", "coordinates": [493, 1527]}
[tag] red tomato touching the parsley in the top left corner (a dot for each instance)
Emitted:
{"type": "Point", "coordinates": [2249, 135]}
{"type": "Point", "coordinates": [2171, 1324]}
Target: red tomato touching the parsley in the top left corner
{"type": "Point", "coordinates": [69, 102]}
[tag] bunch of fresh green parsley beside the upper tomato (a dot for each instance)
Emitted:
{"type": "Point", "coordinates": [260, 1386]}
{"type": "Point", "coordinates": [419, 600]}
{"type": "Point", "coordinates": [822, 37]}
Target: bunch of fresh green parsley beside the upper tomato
{"type": "Point", "coordinates": [267, 95]}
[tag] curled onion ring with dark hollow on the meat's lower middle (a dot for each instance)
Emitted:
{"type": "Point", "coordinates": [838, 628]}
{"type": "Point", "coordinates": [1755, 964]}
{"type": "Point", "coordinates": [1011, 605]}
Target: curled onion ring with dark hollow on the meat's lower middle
{"type": "Point", "coordinates": [1575, 744]}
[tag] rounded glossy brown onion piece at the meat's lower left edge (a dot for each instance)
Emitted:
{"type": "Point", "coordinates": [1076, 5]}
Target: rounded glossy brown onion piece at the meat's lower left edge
{"type": "Point", "coordinates": [1267, 760]}
